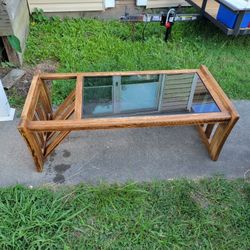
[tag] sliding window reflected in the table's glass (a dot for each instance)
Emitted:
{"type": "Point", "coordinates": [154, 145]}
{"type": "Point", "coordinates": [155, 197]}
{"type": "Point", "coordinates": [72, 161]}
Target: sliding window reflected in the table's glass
{"type": "Point", "coordinates": [120, 94]}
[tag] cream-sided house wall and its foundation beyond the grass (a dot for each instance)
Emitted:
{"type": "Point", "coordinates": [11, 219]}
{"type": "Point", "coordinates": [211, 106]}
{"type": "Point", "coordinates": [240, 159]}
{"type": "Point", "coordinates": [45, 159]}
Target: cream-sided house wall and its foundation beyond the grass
{"type": "Point", "coordinates": [96, 8]}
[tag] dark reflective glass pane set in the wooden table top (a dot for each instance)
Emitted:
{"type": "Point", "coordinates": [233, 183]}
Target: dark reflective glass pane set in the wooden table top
{"type": "Point", "coordinates": [134, 95]}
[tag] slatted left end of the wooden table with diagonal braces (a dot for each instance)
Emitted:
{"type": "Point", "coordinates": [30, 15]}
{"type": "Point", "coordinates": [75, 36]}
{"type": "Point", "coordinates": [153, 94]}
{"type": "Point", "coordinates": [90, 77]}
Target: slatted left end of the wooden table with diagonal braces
{"type": "Point", "coordinates": [38, 108]}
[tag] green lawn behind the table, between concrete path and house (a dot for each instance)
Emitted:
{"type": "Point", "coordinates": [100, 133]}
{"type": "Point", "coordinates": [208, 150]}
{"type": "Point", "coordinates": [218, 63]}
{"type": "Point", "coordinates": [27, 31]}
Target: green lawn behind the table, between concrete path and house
{"type": "Point", "coordinates": [93, 45]}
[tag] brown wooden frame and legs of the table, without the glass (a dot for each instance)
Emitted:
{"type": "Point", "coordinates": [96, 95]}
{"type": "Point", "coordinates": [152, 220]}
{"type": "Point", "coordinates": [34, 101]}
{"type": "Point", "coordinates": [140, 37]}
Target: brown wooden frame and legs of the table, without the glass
{"type": "Point", "coordinates": [43, 129]}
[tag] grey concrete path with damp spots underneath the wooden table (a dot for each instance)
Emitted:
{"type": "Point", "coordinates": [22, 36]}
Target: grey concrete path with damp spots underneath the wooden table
{"type": "Point", "coordinates": [143, 154]}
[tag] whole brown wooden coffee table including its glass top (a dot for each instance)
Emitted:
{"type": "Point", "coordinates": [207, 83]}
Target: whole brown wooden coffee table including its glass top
{"type": "Point", "coordinates": [108, 100]}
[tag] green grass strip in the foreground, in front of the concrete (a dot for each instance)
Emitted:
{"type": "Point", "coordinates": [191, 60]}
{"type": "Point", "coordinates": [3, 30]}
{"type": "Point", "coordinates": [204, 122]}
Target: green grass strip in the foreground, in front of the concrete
{"type": "Point", "coordinates": [206, 214]}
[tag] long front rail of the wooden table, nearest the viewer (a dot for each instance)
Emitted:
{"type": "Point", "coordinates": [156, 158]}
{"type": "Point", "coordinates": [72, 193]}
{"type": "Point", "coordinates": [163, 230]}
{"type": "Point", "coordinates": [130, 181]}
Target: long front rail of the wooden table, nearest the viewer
{"type": "Point", "coordinates": [128, 122]}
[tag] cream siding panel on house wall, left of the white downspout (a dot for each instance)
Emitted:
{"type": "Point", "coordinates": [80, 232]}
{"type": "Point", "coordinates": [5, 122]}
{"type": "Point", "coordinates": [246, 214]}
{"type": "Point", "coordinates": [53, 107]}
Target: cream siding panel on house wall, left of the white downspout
{"type": "Point", "coordinates": [66, 5]}
